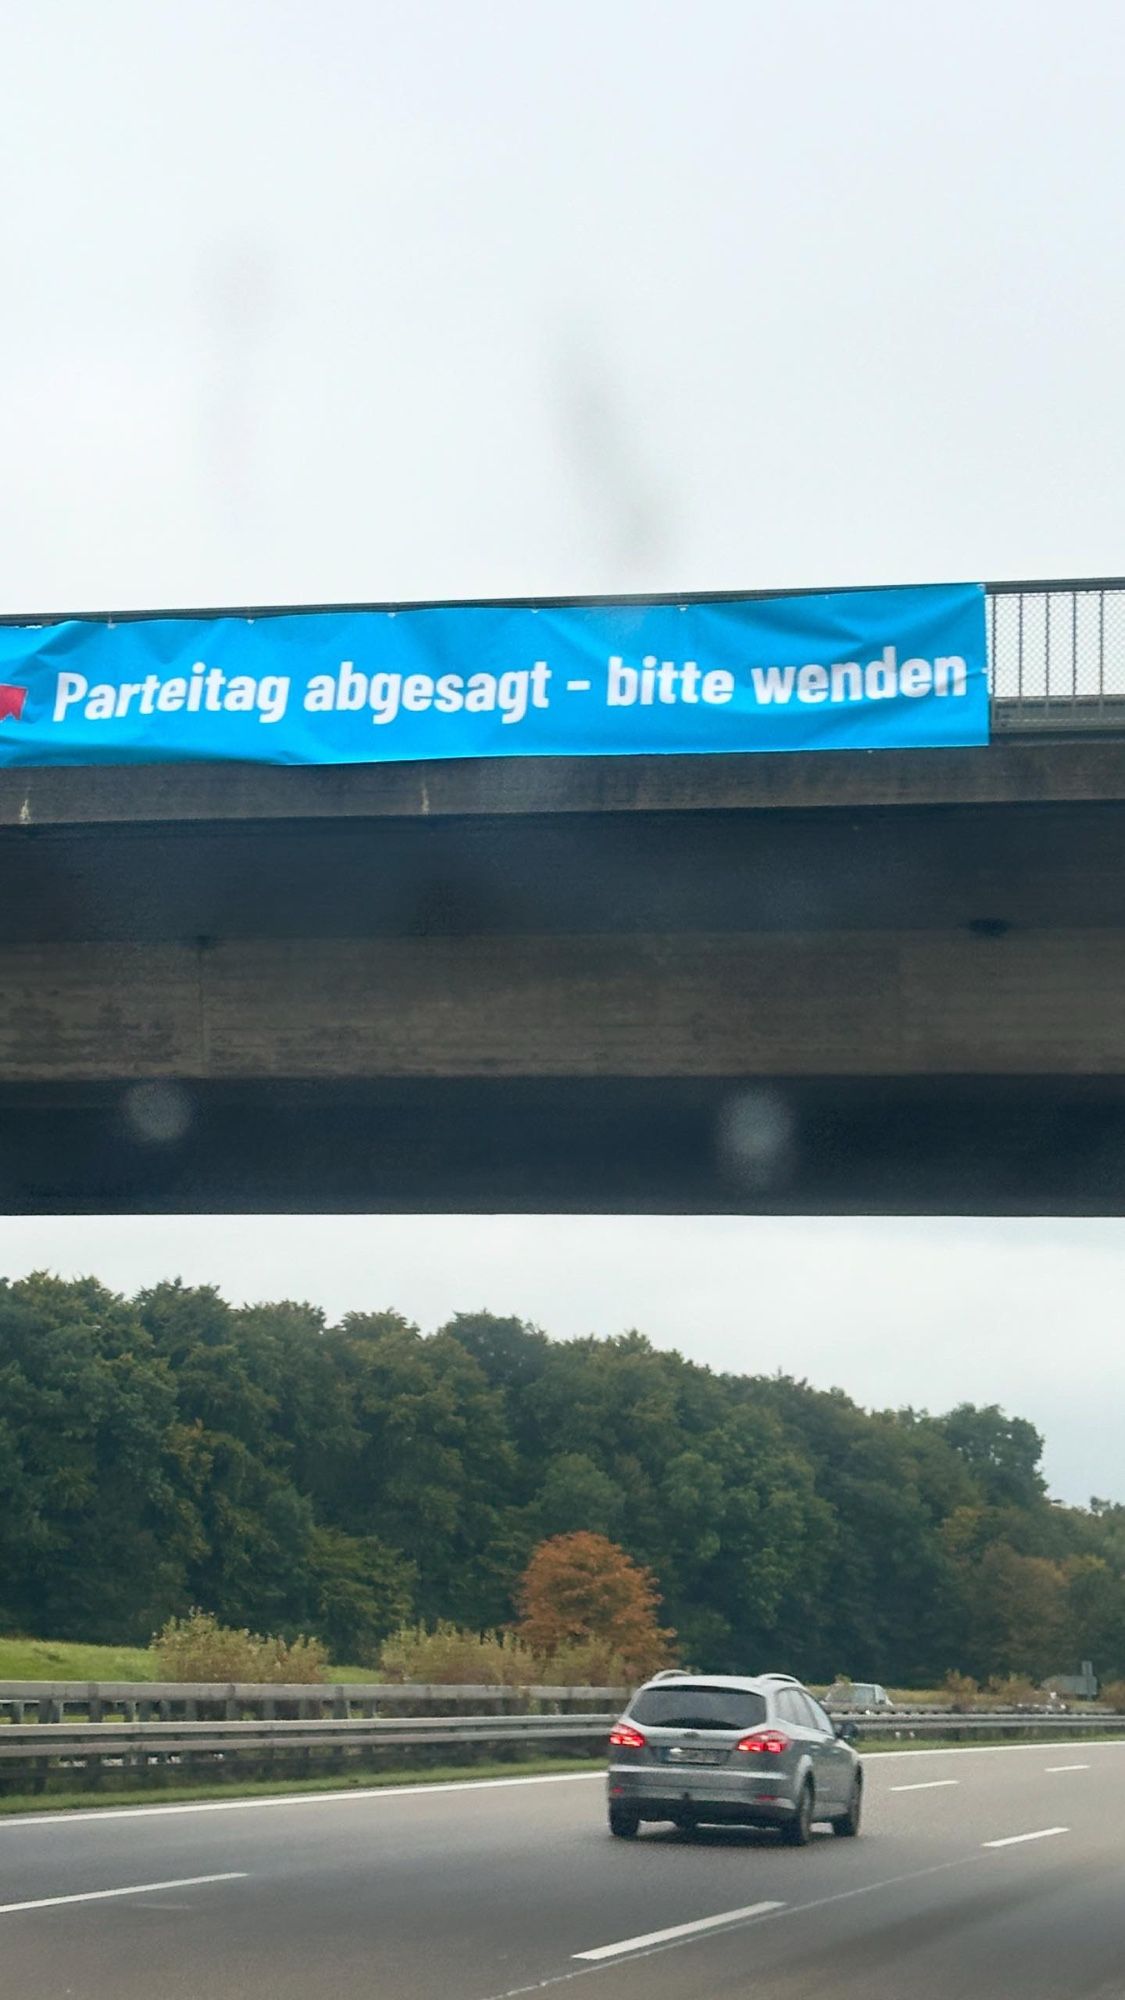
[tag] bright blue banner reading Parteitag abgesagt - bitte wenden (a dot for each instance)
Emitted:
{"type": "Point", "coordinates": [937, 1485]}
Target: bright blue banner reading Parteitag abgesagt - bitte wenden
{"type": "Point", "coordinates": [838, 671]}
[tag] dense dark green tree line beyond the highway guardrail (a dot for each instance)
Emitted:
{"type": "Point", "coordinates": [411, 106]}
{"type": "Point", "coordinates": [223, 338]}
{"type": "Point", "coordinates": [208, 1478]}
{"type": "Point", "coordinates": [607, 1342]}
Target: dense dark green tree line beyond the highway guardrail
{"type": "Point", "coordinates": [283, 1473]}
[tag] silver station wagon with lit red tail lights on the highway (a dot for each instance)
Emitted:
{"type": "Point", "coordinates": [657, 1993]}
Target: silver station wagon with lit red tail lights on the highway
{"type": "Point", "coordinates": [710, 1749]}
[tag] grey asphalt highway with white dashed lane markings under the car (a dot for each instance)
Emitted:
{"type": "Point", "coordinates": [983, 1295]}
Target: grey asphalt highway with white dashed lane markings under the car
{"type": "Point", "coordinates": [980, 1875]}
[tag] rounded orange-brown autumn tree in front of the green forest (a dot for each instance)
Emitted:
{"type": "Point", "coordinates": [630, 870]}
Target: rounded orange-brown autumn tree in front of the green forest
{"type": "Point", "coordinates": [584, 1587]}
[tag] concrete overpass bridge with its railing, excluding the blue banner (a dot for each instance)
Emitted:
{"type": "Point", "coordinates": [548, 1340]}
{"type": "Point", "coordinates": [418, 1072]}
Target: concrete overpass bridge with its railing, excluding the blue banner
{"type": "Point", "coordinates": [860, 983]}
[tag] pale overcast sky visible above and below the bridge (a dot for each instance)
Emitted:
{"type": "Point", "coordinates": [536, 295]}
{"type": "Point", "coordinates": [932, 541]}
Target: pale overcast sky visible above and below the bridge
{"type": "Point", "coordinates": [385, 301]}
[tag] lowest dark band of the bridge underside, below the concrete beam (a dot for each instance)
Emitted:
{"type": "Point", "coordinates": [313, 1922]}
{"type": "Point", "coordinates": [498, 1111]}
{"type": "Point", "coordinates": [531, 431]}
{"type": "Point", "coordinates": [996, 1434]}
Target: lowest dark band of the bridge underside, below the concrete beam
{"type": "Point", "coordinates": [610, 1145]}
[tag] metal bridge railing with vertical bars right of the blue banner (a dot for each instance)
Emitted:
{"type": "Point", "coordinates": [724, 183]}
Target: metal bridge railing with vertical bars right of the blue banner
{"type": "Point", "coordinates": [1058, 655]}
